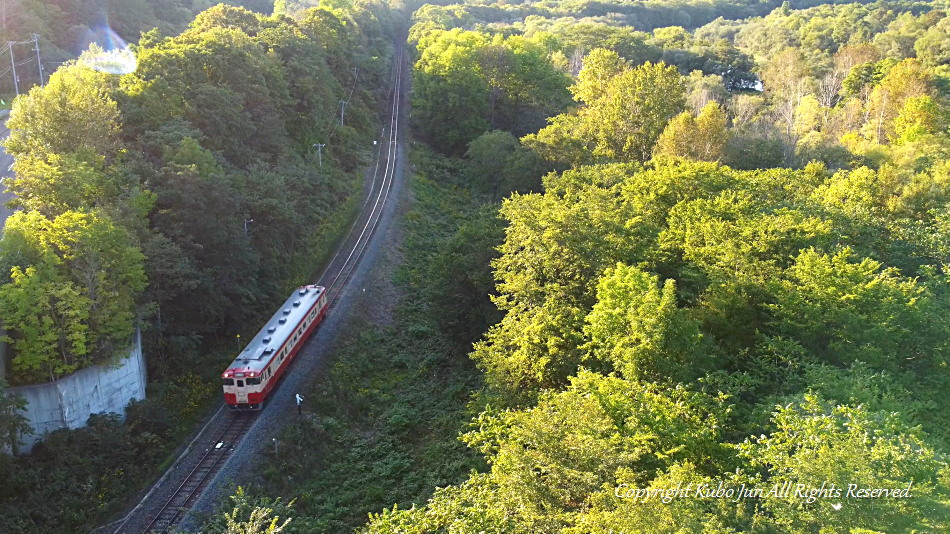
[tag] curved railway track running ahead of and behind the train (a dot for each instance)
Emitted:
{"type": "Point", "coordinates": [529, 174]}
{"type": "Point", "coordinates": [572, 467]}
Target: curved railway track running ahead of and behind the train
{"type": "Point", "coordinates": [163, 515]}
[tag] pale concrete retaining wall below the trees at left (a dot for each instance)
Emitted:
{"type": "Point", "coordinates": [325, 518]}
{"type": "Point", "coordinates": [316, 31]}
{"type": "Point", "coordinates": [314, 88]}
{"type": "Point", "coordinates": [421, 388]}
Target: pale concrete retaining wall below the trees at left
{"type": "Point", "coordinates": [68, 402]}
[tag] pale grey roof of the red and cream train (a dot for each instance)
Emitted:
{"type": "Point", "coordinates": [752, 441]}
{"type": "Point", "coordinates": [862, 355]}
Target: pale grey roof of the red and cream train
{"type": "Point", "coordinates": [257, 354]}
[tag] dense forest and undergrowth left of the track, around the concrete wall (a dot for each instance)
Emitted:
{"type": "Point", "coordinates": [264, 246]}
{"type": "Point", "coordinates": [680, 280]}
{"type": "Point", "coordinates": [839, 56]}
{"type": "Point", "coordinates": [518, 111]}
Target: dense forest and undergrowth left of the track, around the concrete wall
{"type": "Point", "coordinates": [183, 198]}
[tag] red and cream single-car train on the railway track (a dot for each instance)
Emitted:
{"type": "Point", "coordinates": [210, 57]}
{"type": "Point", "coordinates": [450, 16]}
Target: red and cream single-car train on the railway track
{"type": "Point", "coordinates": [254, 374]}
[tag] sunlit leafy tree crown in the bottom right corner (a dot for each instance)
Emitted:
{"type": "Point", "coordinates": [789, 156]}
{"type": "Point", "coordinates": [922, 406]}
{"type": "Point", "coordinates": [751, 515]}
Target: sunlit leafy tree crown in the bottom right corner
{"type": "Point", "coordinates": [819, 445]}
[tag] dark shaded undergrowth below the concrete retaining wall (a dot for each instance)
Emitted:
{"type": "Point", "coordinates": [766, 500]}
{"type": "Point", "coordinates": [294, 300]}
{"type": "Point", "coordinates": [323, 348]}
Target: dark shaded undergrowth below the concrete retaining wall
{"type": "Point", "coordinates": [75, 480]}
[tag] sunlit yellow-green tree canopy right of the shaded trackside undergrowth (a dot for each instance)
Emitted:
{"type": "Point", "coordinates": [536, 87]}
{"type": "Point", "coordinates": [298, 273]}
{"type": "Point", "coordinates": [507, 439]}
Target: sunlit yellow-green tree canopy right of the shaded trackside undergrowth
{"type": "Point", "coordinates": [627, 290]}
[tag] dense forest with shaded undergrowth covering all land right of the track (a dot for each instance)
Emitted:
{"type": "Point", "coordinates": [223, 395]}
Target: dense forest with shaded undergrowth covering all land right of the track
{"type": "Point", "coordinates": [718, 262]}
